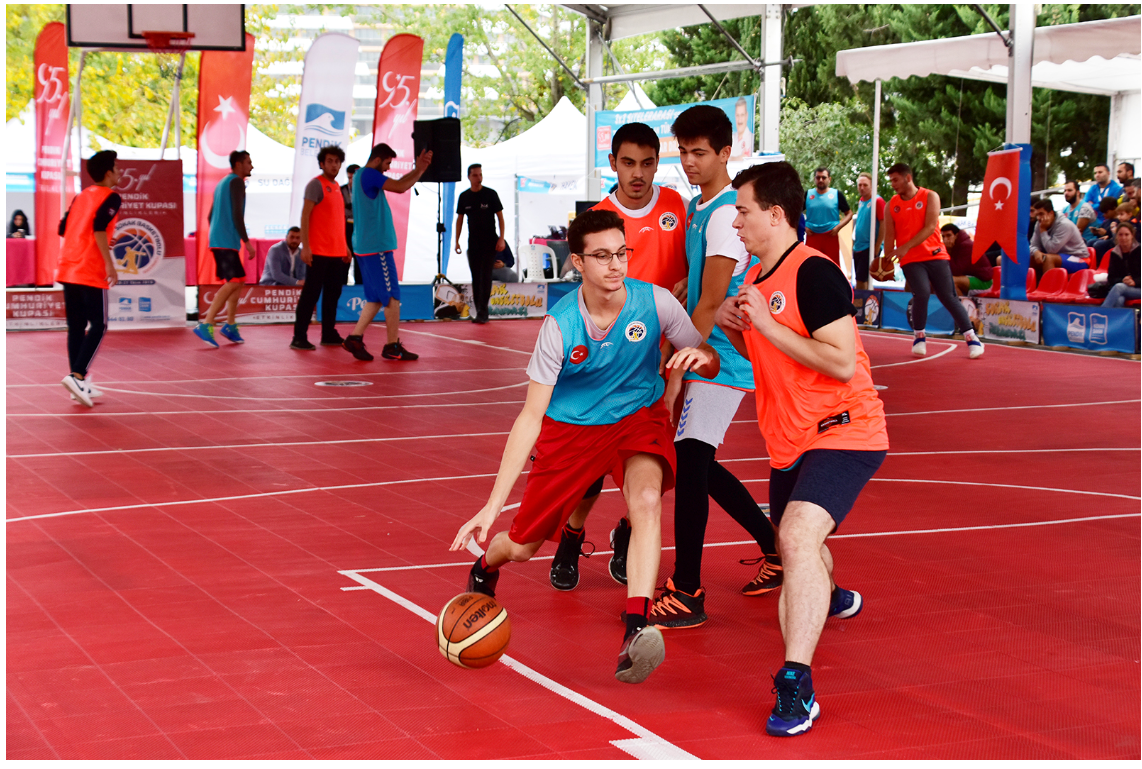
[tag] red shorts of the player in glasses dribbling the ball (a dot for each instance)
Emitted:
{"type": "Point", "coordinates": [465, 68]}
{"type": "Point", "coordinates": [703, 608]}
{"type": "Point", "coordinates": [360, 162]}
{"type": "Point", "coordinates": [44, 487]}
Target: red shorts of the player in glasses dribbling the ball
{"type": "Point", "coordinates": [569, 459]}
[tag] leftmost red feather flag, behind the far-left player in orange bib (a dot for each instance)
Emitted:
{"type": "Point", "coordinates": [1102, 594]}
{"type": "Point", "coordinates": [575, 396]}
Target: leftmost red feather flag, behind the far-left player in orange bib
{"type": "Point", "coordinates": [52, 106]}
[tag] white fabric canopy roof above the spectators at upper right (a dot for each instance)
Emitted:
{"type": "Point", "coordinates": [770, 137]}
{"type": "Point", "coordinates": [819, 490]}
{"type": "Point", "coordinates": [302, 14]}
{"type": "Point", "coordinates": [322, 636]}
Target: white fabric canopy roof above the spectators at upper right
{"type": "Point", "coordinates": [1092, 58]}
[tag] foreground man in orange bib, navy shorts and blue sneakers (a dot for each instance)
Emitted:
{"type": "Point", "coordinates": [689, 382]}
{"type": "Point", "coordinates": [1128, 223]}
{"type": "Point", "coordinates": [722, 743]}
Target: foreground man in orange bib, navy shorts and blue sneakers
{"type": "Point", "coordinates": [818, 411]}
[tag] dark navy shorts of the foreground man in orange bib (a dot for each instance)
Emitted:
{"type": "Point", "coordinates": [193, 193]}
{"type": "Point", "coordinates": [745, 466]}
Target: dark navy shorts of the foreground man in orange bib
{"type": "Point", "coordinates": [830, 478]}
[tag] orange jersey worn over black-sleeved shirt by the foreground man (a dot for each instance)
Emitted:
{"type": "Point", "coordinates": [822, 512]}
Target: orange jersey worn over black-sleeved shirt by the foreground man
{"type": "Point", "coordinates": [798, 408]}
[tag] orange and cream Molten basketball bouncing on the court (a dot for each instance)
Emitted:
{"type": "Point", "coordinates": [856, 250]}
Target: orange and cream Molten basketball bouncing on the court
{"type": "Point", "coordinates": [473, 631]}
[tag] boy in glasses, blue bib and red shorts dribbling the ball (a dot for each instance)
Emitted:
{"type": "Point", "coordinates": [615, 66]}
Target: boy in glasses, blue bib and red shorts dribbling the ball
{"type": "Point", "coordinates": [596, 406]}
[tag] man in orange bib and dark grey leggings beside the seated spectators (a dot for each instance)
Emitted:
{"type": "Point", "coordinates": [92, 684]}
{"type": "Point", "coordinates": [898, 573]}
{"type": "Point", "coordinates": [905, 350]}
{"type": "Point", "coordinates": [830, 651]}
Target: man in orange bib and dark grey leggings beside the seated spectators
{"type": "Point", "coordinates": [912, 235]}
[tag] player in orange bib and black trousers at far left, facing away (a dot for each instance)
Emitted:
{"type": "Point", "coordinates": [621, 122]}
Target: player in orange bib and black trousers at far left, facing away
{"type": "Point", "coordinates": [87, 271]}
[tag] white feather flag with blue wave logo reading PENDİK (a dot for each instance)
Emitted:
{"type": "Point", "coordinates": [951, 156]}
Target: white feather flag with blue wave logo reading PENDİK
{"type": "Point", "coordinates": [325, 113]}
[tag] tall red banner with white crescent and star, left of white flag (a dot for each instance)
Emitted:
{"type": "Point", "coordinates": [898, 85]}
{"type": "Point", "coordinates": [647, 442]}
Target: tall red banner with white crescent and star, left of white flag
{"type": "Point", "coordinates": [224, 113]}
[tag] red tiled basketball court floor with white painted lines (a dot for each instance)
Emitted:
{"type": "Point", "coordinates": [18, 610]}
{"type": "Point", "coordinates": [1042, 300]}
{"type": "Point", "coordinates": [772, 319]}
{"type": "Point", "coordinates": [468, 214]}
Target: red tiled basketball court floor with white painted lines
{"type": "Point", "coordinates": [227, 560]}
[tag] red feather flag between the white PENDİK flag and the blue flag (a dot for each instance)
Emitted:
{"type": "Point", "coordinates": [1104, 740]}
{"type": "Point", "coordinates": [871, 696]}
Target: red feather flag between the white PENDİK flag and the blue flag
{"type": "Point", "coordinates": [398, 93]}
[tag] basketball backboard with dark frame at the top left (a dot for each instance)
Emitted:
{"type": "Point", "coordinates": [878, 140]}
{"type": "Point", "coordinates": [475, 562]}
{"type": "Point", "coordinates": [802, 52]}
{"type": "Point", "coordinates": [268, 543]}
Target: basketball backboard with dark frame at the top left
{"type": "Point", "coordinates": [123, 27]}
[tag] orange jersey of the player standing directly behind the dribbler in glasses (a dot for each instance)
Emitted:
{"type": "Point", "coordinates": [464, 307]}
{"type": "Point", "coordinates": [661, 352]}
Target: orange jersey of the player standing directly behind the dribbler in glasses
{"type": "Point", "coordinates": [658, 236]}
